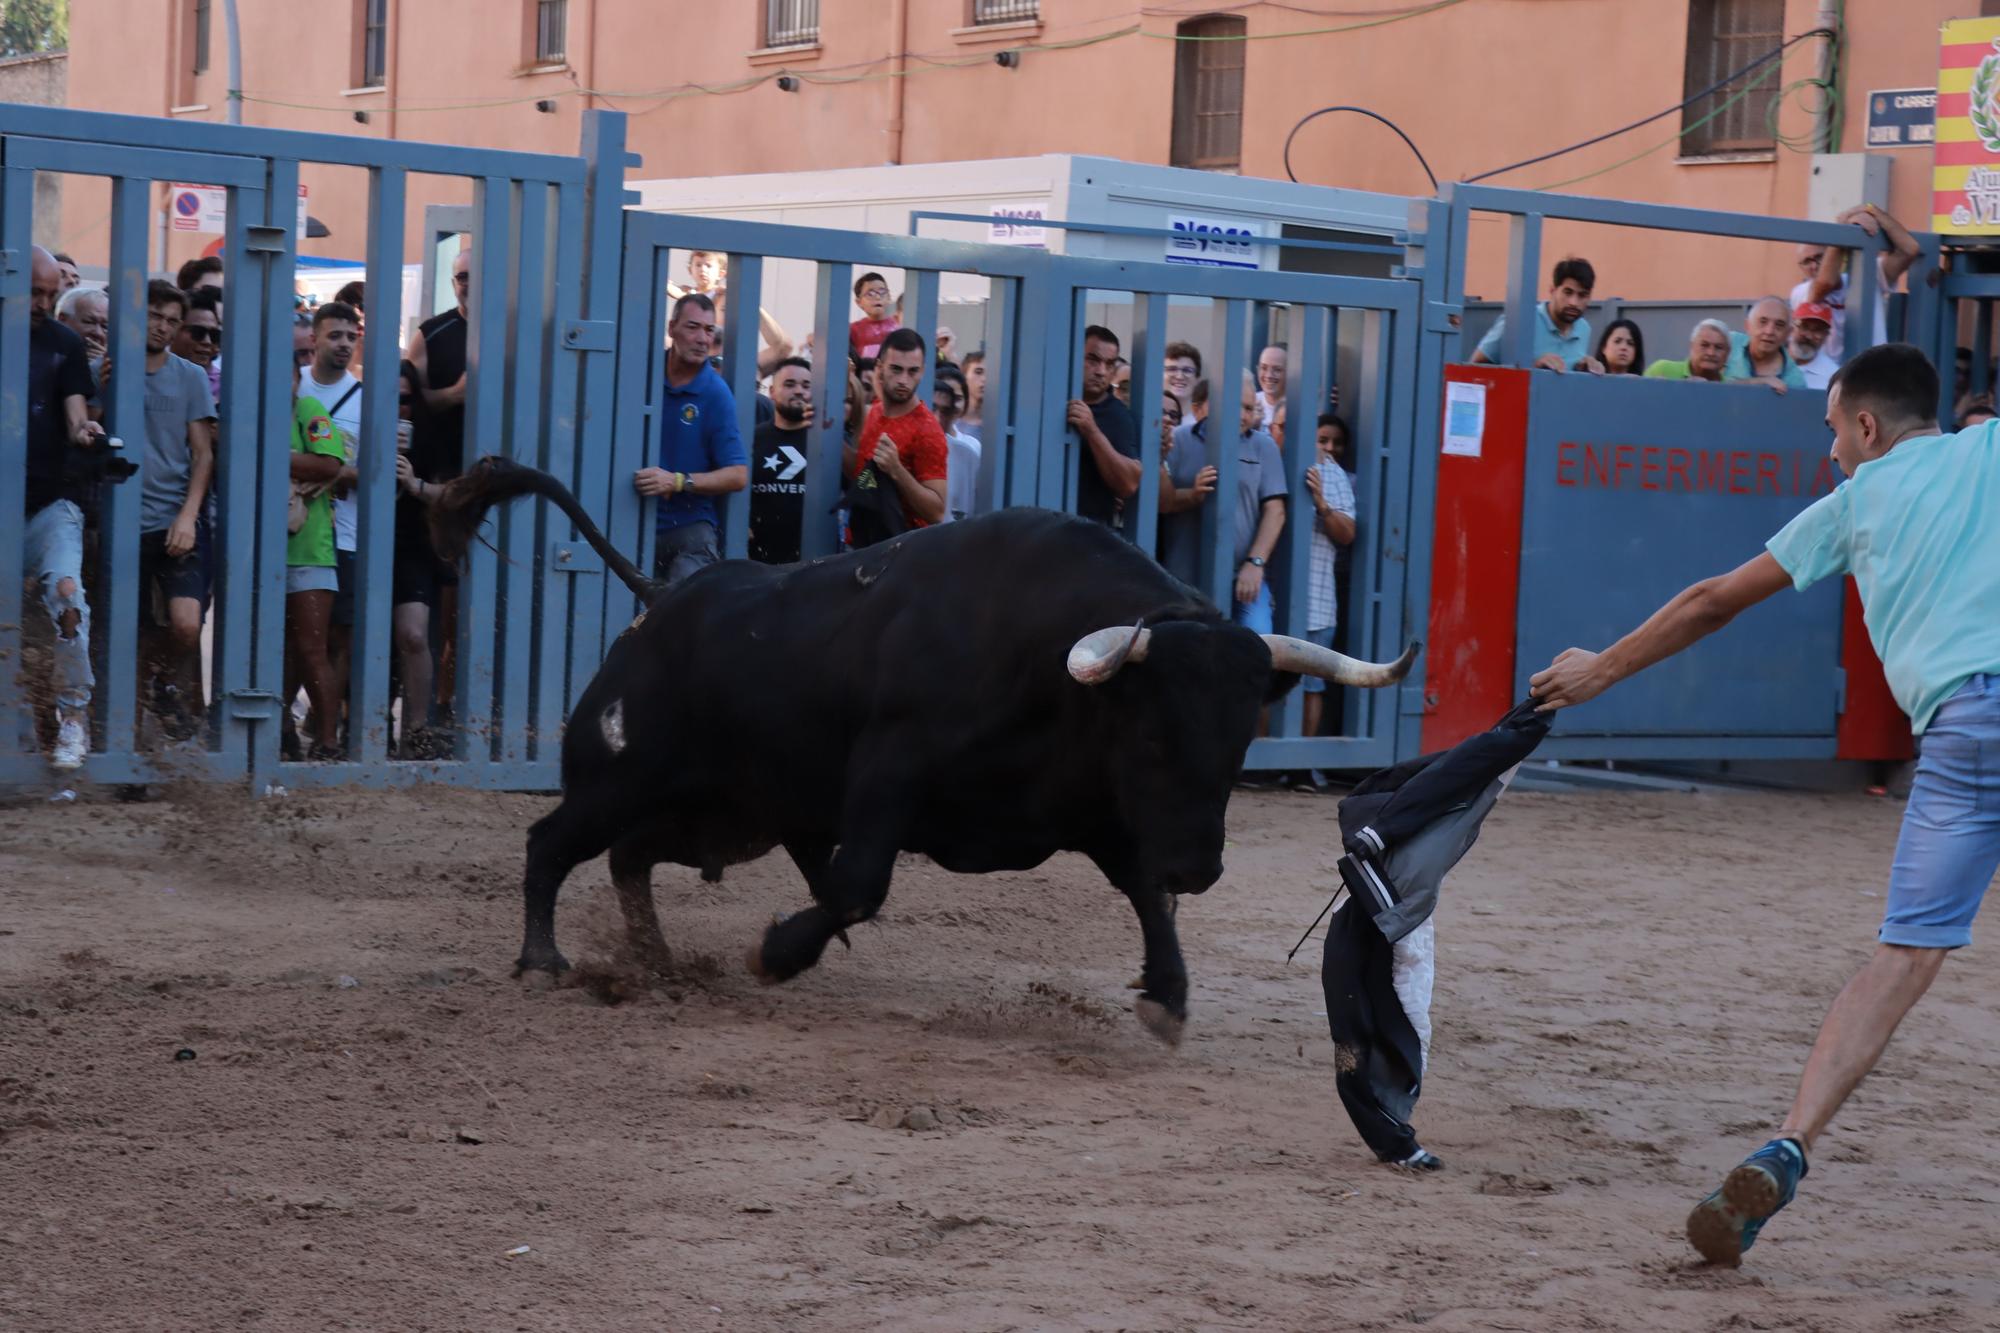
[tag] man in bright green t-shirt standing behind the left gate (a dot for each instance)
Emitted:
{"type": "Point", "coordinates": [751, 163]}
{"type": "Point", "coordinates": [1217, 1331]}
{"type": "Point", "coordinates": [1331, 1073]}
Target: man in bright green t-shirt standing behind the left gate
{"type": "Point", "coordinates": [311, 579]}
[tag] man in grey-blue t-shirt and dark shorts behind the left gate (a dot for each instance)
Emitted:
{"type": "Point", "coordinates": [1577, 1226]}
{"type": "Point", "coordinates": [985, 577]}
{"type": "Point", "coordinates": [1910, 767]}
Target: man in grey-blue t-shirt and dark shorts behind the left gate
{"type": "Point", "coordinates": [173, 555]}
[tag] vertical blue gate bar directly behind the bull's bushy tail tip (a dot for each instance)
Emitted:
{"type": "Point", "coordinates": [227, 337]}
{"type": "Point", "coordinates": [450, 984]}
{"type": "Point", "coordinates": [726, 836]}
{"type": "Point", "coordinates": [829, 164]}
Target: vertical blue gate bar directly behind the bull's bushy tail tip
{"type": "Point", "coordinates": [485, 431]}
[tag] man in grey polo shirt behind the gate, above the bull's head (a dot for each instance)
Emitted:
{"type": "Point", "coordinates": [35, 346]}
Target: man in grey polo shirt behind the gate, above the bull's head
{"type": "Point", "coordinates": [1255, 519]}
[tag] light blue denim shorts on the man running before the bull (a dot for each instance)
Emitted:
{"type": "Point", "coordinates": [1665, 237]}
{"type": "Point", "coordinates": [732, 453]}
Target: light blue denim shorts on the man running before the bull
{"type": "Point", "coordinates": [1951, 832]}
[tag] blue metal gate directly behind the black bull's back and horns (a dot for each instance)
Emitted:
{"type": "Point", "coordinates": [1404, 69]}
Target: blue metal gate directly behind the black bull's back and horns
{"type": "Point", "coordinates": [1035, 329]}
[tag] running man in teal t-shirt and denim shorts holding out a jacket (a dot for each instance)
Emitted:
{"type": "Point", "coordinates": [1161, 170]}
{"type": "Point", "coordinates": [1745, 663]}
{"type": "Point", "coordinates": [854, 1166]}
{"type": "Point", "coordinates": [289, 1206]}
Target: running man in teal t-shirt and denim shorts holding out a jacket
{"type": "Point", "coordinates": [1919, 529]}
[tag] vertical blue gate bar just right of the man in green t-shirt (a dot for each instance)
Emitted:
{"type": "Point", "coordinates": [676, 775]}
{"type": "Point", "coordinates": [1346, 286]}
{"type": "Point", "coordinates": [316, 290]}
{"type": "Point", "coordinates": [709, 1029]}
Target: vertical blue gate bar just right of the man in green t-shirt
{"type": "Point", "coordinates": [375, 557]}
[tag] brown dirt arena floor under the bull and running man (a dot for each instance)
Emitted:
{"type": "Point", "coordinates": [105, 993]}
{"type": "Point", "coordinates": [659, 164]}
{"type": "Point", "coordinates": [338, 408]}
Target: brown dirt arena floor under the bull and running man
{"type": "Point", "coordinates": [959, 1124]}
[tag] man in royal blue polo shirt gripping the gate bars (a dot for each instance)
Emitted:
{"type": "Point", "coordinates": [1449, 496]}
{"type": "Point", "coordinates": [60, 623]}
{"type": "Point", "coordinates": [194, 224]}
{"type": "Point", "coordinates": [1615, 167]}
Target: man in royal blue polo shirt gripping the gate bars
{"type": "Point", "coordinates": [701, 451]}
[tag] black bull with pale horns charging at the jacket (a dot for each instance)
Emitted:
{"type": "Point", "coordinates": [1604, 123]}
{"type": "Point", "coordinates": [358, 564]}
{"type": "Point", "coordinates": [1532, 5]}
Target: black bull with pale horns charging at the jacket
{"type": "Point", "coordinates": [977, 694]}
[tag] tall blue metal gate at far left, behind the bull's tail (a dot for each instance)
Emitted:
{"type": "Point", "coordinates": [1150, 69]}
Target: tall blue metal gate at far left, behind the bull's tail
{"type": "Point", "coordinates": [539, 347]}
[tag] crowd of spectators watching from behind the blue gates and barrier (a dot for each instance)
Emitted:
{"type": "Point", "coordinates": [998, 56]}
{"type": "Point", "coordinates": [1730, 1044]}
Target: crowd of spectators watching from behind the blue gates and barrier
{"type": "Point", "coordinates": [907, 461]}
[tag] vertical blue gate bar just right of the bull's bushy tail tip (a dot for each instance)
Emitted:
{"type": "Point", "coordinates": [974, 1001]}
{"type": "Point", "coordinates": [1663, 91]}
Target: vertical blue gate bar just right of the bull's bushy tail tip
{"type": "Point", "coordinates": [523, 571]}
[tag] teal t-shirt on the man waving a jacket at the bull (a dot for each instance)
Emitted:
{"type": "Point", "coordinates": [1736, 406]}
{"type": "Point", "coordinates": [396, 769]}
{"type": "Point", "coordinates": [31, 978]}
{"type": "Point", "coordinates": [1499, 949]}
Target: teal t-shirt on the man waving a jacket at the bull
{"type": "Point", "coordinates": [1921, 533]}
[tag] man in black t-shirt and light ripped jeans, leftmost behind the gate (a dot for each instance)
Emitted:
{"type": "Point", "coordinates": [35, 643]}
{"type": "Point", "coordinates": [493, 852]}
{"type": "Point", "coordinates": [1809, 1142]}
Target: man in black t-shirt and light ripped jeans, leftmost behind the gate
{"type": "Point", "coordinates": [61, 491]}
